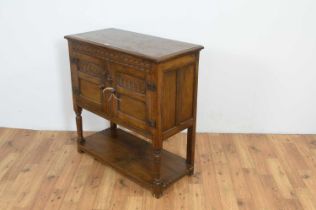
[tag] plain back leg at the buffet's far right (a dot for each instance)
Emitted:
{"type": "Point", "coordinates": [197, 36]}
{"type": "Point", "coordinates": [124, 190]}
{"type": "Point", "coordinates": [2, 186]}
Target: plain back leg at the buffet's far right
{"type": "Point", "coordinates": [190, 149]}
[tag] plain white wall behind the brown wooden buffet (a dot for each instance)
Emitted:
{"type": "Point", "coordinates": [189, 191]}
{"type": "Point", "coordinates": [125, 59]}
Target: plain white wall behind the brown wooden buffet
{"type": "Point", "coordinates": [257, 72]}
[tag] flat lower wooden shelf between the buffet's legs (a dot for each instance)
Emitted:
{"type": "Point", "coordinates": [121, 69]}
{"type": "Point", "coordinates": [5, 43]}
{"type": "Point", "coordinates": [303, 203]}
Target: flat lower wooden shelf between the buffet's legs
{"type": "Point", "coordinates": [133, 157]}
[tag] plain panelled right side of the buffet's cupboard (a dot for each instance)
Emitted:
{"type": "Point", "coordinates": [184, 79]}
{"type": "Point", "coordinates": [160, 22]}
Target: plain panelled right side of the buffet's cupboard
{"type": "Point", "coordinates": [177, 99]}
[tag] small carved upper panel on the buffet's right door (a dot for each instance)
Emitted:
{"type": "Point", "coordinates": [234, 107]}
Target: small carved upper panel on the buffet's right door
{"type": "Point", "coordinates": [131, 83]}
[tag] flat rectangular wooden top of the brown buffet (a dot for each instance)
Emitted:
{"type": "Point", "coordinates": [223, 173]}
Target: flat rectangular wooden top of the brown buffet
{"type": "Point", "coordinates": [150, 47]}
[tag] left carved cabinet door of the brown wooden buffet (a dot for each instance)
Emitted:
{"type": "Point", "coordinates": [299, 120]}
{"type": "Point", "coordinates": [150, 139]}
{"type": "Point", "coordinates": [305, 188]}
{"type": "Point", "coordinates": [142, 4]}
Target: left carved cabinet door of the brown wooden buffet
{"type": "Point", "coordinates": [92, 77]}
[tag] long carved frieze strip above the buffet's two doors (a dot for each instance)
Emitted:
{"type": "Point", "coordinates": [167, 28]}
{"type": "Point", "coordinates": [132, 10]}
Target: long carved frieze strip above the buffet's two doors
{"type": "Point", "coordinates": [109, 55]}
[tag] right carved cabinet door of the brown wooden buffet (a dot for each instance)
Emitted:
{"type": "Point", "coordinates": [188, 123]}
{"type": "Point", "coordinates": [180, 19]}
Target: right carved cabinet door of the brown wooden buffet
{"type": "Point", "coordinates": [130, 86]}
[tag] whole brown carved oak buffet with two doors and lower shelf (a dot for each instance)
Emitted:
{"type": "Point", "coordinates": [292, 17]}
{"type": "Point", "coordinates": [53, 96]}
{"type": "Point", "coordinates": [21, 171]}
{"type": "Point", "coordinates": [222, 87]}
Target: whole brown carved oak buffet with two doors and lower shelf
{"type": "Point", "coordinates": [145, 84]}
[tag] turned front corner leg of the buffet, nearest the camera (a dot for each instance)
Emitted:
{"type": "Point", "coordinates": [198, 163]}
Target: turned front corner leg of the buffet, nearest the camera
{"type": "Point", "coordinates": [157, 185]}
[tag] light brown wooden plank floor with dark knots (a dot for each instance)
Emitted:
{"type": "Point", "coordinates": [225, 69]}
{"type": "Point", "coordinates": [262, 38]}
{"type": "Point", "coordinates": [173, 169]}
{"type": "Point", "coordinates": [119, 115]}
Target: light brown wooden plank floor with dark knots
{"type": "Point", "coordinates": [42, 170]}
